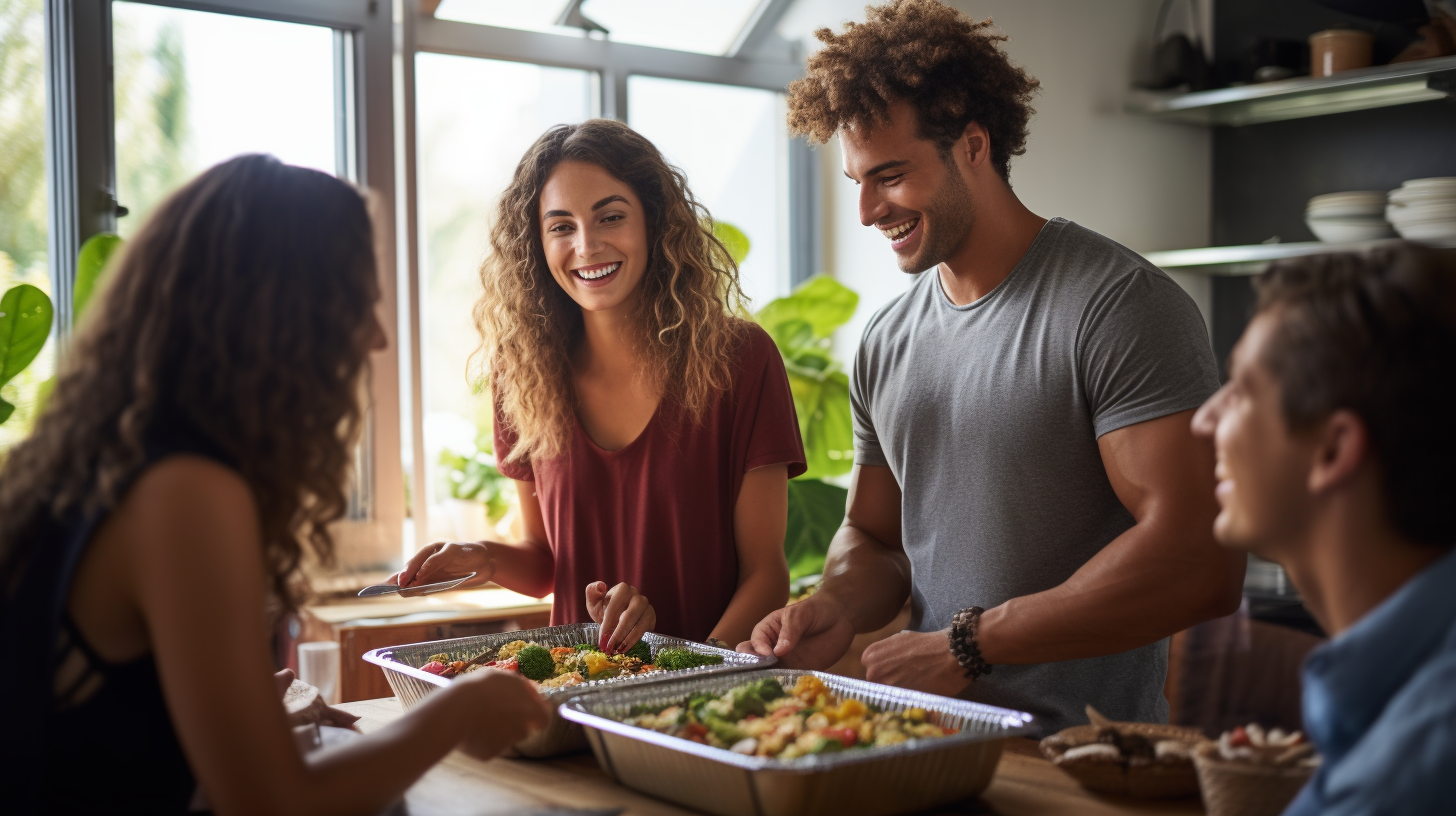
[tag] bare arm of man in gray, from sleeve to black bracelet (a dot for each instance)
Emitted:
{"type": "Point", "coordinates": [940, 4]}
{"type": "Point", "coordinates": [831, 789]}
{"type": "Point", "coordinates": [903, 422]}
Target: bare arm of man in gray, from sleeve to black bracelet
{"type": "Point", "coordinates": [1161, 576]}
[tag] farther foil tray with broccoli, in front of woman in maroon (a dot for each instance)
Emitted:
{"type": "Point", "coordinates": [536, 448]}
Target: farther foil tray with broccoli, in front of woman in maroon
{"type": "Point", "coordinates": [411, 684]}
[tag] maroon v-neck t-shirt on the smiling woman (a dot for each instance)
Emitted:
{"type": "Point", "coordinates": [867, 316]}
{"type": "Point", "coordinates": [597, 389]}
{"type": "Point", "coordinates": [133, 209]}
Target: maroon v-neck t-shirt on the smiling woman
{"type": "Point", "coordinates": [660, 512]}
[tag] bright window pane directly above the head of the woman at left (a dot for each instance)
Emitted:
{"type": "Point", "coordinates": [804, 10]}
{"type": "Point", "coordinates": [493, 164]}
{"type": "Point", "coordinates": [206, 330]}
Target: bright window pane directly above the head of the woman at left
{"type": "Point", "coordinates": [194, 90]}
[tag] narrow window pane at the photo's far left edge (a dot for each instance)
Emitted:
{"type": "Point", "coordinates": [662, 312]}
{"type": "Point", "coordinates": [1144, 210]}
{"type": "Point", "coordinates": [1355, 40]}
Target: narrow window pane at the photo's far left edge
{"type": "Point", "coordinates": [23, 187]}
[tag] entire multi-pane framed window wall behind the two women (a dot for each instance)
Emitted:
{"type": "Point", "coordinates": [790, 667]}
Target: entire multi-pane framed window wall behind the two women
{"type": "Point", "coordinates": [146, 94]}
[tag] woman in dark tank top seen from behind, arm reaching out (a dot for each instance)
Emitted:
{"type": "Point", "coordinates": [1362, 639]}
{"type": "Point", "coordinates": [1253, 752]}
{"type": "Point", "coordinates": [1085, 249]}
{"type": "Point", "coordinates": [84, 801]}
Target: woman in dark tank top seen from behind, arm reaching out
{"type": "Point", "coordinates": [191, 458]}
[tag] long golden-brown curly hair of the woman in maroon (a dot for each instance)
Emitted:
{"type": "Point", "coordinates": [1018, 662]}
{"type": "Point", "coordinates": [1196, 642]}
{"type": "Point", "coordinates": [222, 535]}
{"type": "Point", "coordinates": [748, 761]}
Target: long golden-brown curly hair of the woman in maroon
{"type": "Point", "coordinates": [531, 329]}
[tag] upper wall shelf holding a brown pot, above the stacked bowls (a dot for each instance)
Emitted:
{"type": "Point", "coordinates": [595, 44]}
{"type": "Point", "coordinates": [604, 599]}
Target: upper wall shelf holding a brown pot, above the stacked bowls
{"type": "Point", "coordinates": [1305, 97]}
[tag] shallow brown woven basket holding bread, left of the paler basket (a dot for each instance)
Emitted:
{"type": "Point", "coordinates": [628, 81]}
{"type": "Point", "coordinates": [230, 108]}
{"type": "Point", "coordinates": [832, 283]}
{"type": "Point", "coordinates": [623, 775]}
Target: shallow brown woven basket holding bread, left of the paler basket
{"type": "Point", "coordinates": [1157, 780]}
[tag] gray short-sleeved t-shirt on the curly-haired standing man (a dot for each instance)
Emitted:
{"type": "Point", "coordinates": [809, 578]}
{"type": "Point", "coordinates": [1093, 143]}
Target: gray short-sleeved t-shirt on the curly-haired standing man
{"type": "Point", "coordinates": [989, 415]}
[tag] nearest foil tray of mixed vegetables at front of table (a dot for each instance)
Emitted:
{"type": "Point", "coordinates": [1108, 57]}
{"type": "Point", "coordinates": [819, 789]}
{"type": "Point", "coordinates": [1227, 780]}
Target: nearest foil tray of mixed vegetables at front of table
{"type": "Point", "coordinates": [873, 782]}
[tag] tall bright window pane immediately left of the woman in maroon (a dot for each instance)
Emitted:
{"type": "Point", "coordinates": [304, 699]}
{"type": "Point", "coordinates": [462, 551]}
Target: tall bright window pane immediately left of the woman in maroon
{"type": "Point", "coordinates": [477, 119]}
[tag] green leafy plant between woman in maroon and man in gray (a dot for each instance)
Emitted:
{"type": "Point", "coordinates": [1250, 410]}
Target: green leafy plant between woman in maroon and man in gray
{"type": "Point", "coordinates": [803, 327]}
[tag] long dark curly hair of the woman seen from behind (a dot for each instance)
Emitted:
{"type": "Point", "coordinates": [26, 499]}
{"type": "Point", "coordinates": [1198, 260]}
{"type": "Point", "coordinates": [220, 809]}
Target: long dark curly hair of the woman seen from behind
{"type": "Point", "coordinates": [242, 313]}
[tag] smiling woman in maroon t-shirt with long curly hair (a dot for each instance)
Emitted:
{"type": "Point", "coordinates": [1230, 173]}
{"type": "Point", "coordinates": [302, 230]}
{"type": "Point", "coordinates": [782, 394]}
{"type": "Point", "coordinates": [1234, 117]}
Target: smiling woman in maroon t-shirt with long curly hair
{"type": "Point", "coordinates": [650, 428]}
